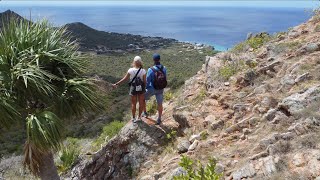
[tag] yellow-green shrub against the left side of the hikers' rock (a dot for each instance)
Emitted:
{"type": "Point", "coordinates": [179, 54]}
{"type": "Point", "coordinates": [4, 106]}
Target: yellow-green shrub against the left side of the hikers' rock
{"type": "Point", "coordinates": [108, 132]}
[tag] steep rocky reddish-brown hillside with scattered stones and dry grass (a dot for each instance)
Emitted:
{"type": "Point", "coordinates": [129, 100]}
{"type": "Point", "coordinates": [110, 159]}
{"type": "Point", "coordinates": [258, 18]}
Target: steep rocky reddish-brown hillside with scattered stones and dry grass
{"type": "Point", "coordinates": [255, 109]}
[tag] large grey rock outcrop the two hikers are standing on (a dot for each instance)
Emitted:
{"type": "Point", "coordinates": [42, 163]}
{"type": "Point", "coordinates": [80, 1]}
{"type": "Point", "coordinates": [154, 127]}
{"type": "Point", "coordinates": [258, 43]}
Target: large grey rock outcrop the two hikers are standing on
{"type": "Point", "coordinates": [130, 148]}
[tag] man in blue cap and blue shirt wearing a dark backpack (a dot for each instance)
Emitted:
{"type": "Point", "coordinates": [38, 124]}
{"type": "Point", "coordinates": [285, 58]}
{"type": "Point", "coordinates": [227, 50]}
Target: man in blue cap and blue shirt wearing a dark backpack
{"type": "Point", "coordinates": [156, 82]}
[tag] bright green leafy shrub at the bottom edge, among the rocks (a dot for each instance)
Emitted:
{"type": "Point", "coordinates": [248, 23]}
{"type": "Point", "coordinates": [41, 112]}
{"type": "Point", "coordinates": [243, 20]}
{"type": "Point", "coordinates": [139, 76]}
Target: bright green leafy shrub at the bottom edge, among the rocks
{"type": "Point", "coordinates": [198, 171]}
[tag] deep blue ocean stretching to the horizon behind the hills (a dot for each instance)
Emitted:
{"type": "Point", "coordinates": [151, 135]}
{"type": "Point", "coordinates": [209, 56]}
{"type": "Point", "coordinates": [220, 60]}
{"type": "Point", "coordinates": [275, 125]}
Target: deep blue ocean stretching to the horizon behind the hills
{"type": "Point", "coordinates": [222, 27]}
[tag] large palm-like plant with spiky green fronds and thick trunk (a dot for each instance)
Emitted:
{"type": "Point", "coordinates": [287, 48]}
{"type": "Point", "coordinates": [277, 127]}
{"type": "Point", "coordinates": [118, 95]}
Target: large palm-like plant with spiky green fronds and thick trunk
{"type": "Point", "coordinates": [41, 84]}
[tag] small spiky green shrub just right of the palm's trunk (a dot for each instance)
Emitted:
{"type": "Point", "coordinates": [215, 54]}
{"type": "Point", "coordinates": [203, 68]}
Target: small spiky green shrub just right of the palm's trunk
{"type": "Point", "coordinates": [68, 155]}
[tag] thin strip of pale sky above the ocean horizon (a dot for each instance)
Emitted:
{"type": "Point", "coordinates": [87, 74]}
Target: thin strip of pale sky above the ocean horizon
{"type": "Point", "coordinates": [237, 3]}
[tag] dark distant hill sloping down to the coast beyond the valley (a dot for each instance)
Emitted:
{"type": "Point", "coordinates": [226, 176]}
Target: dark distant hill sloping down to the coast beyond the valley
{"type": "Point", "coordinates": [110, 42]}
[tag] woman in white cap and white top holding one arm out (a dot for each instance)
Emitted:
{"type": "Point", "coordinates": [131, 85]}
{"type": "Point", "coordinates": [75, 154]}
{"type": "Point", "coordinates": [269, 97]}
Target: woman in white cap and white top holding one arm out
{"type": "Point", "coordinates": [137, 83]}
